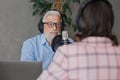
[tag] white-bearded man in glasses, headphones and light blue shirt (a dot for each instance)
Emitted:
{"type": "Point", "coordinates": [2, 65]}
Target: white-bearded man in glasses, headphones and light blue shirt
{"type": "Point", "coordinates": [38, 48]}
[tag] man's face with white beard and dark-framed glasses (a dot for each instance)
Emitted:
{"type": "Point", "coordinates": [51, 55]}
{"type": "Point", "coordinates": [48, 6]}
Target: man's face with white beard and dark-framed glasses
{"type": "Point", "coordinates": [51, 27]}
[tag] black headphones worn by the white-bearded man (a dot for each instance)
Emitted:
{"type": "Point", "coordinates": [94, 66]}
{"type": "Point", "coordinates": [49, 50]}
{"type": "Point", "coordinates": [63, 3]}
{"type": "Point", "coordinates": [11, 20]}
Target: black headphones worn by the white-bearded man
{"type": "Point", "coordinates": [41, 24]}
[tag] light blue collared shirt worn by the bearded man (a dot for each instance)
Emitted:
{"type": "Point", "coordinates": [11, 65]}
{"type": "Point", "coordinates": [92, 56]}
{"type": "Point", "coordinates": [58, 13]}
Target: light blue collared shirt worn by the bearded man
{"type": "Point", "coordinates": [37, 49]}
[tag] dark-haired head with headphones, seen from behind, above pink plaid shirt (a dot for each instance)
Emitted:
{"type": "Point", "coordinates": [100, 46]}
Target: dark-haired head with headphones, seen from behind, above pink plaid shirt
{"type": "Point", "coordinates": [96, 18]}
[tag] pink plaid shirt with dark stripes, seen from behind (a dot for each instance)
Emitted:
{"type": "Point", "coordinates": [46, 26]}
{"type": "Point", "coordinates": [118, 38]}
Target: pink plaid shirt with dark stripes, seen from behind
{"type": "Point", "coordinates": [94, 58]}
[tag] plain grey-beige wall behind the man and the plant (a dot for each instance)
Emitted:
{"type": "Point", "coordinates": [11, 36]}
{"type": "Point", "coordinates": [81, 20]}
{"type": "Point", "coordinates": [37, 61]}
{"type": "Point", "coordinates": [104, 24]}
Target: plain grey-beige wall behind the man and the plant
{"type": "Point", "coordinates": [17, 24]}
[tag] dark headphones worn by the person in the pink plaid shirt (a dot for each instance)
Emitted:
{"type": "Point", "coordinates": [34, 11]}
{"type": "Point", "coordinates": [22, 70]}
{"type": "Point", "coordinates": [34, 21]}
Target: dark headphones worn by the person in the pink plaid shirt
{"type": "Point", "coordinates": [81, 9]}
